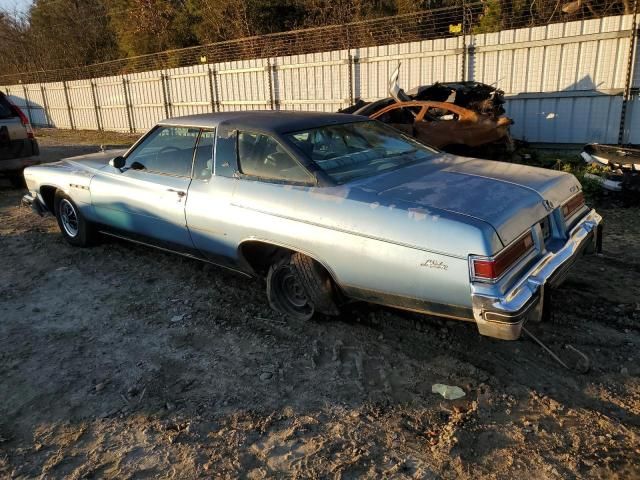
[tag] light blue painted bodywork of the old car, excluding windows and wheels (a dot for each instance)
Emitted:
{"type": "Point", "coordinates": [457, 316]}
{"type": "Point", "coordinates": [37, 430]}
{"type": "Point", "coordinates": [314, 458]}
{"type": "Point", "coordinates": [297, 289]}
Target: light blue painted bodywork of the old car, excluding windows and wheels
{"type": "Point", "coordinates": [402, 237]}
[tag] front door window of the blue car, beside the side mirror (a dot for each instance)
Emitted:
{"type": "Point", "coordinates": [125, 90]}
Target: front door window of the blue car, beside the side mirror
{"type": "Point", "coordinates": [167, 150]}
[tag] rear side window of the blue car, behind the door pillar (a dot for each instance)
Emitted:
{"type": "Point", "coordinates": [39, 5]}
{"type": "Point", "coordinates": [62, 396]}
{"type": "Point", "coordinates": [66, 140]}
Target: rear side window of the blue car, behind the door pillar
{"type": "Point", "coordinates": [263, 157]}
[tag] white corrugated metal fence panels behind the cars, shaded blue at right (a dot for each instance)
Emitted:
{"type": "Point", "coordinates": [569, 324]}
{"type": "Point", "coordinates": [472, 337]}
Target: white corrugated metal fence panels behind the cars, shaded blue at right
{"type": "Point", "coordinates": [564, 83]}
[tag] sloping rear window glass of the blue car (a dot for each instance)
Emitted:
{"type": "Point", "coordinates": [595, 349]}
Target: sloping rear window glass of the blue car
{"type": "Point", "coordinates": [358, 150]}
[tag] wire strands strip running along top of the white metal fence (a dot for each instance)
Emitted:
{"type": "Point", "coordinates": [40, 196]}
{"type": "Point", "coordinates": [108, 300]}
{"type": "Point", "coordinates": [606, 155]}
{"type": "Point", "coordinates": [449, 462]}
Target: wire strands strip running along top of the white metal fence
{"type": "Point", "coordinates": [463, 19]}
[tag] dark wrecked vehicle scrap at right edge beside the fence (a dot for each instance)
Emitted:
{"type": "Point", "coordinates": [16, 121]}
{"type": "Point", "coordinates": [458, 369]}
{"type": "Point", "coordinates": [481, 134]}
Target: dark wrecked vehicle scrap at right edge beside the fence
{"type": "Point", "coordinates": [620, 168]}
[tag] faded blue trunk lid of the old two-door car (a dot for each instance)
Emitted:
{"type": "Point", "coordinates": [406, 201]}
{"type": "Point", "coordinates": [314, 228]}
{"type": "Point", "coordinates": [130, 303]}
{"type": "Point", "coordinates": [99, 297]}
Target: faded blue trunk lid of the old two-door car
{"type": "Point", "coordinates": [510, 197]}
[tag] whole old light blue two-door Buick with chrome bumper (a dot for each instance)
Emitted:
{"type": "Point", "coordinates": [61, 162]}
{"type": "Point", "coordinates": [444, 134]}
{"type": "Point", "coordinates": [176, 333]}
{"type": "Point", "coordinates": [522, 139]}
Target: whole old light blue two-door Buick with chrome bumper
{"type": "Point", "coordinates": [332, 208]}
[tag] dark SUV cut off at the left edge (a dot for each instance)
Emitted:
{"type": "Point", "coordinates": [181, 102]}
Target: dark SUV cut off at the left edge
{"type": "Point", "coordinates": [17, 143]}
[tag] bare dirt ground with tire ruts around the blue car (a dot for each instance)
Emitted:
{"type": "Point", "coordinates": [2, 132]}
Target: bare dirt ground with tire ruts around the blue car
{"type": "Point", "coordinates": [120, 361]}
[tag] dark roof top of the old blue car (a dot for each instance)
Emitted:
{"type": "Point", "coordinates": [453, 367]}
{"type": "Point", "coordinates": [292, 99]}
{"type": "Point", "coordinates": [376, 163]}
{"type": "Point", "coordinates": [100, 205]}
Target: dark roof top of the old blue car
{"type": "Point", "coordinates": [276, 121]}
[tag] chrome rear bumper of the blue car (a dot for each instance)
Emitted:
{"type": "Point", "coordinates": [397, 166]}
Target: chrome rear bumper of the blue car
{"type": "Point", "coordinates": [503, 317]}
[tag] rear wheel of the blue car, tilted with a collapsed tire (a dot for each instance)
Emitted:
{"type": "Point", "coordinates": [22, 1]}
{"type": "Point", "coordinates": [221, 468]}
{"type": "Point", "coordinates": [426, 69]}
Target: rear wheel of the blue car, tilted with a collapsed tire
{"type": "Point", "coordinates": [298, 287]}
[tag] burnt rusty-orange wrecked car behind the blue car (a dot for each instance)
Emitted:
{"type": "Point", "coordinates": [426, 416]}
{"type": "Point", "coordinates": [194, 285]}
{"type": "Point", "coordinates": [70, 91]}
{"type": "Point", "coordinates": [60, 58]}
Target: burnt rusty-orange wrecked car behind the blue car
{"type": "Point", "coordinates": [465, 118]}
